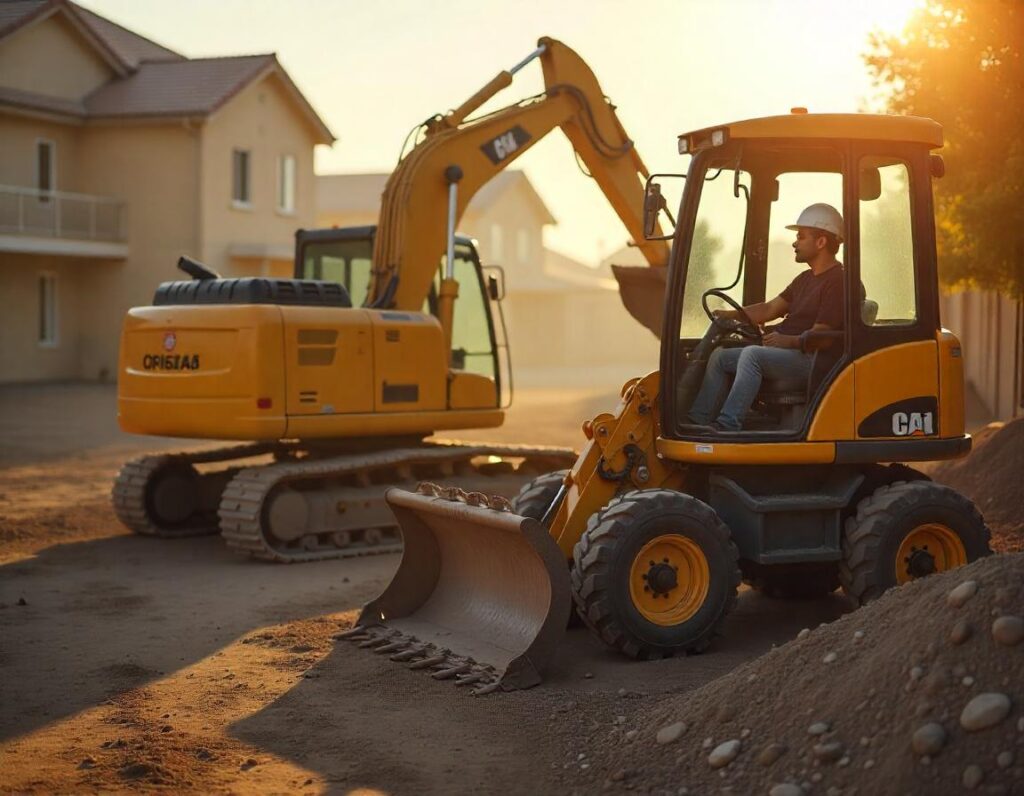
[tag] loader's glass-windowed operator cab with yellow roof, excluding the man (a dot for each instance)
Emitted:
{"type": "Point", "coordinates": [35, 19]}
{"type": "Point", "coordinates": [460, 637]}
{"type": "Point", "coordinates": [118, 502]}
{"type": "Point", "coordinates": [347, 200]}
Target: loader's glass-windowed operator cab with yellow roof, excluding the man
{"type": "Point", "coordinates": [746, 183]}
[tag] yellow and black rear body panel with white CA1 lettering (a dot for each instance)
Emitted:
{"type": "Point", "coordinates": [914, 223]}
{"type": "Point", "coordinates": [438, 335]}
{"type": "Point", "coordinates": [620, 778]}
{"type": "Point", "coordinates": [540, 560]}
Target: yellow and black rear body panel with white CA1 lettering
{"type": "Point", "coordinates": [897, 391]}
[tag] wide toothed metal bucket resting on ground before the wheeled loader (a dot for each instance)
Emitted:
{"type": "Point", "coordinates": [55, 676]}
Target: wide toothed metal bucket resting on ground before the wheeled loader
{"type": "Point", "coordinates": [482, 596]}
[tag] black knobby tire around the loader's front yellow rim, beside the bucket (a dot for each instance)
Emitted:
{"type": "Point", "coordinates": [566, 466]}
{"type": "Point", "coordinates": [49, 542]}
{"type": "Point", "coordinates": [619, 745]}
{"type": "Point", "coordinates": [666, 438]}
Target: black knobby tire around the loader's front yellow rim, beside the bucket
{"type": "Point", "coordinates": [606, 554]}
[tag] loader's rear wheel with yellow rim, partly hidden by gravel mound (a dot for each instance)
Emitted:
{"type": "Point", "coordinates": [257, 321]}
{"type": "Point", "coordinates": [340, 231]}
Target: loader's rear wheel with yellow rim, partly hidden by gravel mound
{"type": "Point", "coordinates": [907, 531]}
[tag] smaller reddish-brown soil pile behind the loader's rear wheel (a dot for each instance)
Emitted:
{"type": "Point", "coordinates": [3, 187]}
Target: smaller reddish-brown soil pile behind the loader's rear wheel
{"type": "Point", "coordinates": [992, 478]}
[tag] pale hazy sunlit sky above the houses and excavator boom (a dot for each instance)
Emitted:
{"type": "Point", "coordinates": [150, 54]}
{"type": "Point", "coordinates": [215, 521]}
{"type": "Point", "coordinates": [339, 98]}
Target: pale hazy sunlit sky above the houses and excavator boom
{"type": "Point", "coordinates": [373, 70]}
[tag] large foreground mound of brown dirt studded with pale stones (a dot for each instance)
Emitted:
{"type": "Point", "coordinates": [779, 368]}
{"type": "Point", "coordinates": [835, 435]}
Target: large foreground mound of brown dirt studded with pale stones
{"type": "Point", "coordinates": [921, 692]}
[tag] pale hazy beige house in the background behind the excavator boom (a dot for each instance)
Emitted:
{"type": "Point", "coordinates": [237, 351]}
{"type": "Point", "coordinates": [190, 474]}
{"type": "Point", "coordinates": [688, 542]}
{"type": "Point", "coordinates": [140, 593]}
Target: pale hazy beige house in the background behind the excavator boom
{"type": "Point", "coordinates": [561, 313]}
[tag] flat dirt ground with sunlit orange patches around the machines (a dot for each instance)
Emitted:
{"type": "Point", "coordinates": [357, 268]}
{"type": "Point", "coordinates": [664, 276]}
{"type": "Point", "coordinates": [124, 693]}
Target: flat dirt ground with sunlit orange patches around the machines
{"type": "Point", "coordinates": [130, 663]}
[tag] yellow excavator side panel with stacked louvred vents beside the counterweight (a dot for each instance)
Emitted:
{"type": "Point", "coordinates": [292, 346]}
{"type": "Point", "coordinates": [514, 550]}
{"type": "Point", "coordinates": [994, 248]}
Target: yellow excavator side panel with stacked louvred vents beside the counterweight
{"type": "Point", "coordinates": [330, 361]}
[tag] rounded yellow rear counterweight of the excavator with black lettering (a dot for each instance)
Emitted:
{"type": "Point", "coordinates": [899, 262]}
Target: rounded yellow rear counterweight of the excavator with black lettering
{"type": "Point", "coordinates": [202, 371]}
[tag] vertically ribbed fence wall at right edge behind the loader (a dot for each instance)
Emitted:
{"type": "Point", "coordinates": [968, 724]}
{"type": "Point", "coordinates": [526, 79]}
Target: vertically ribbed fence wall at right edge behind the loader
{"type": "Point", "coordinates": [991, 328]}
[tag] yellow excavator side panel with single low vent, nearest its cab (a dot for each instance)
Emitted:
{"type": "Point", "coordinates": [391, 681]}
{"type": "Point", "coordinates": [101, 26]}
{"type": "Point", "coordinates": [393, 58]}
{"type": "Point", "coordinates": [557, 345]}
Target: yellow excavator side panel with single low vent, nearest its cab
{"type": "Point", "coordinates": [410, 363]}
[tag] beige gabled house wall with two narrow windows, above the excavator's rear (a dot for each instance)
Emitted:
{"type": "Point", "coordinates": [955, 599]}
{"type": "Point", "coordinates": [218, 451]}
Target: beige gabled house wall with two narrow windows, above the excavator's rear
{"type": "Point", "coordinates": [263, 120]}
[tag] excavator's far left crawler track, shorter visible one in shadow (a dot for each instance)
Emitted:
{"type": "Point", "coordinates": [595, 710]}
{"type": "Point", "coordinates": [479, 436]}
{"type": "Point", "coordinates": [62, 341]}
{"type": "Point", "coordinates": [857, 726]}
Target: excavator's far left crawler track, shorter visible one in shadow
{"type": "Point", "coordinates": [164, 495]}
